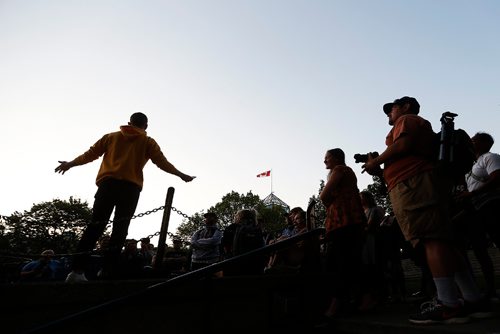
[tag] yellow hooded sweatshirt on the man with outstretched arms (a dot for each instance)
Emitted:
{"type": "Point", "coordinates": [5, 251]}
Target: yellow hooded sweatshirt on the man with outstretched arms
{"type": "Point", "coordinates": [126, 152]}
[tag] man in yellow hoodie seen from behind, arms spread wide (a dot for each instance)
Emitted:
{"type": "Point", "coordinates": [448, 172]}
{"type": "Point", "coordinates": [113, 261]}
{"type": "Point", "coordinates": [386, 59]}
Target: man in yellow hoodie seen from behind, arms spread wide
{"type": "Point", "coordinates": [119, 181]}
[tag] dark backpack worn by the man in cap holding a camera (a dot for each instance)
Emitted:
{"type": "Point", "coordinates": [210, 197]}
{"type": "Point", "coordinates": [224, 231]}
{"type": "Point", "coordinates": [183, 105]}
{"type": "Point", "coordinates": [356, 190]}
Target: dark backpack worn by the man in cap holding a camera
{"type": "Point", "coordinates": [455, 151]}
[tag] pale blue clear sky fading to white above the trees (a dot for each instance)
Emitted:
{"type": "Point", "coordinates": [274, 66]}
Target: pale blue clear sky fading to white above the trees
{"type": "Point", "coordinates": [231, 88]}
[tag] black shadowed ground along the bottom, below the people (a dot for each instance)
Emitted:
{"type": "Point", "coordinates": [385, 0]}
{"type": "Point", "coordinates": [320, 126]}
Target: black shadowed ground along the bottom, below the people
{"type": "Point", "coordinates": [272, 304]}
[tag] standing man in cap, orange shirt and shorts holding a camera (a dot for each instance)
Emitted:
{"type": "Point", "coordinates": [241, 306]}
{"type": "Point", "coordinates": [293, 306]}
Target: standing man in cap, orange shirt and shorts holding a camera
{"type": "Point", "coordinates": [419, 196]}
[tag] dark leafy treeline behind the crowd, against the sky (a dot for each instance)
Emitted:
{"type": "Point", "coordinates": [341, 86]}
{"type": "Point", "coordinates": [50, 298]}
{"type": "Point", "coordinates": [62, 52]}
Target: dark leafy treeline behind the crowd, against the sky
{"type": "Point", "coordinates": [58, 224]}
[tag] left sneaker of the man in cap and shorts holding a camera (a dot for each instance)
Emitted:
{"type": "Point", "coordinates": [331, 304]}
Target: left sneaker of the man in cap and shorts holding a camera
{"type": "Point", "coordinates": [436, 313]}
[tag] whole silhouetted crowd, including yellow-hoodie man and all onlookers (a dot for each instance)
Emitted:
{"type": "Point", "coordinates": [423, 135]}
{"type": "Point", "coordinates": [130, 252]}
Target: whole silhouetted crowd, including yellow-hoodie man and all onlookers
{"type": "Point", "coordinates": [360, 249]}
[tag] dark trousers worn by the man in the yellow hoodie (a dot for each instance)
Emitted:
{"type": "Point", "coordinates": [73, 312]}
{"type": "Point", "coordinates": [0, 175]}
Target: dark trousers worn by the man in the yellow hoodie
{"type": "Point", "coordinates": [122, 196]}
